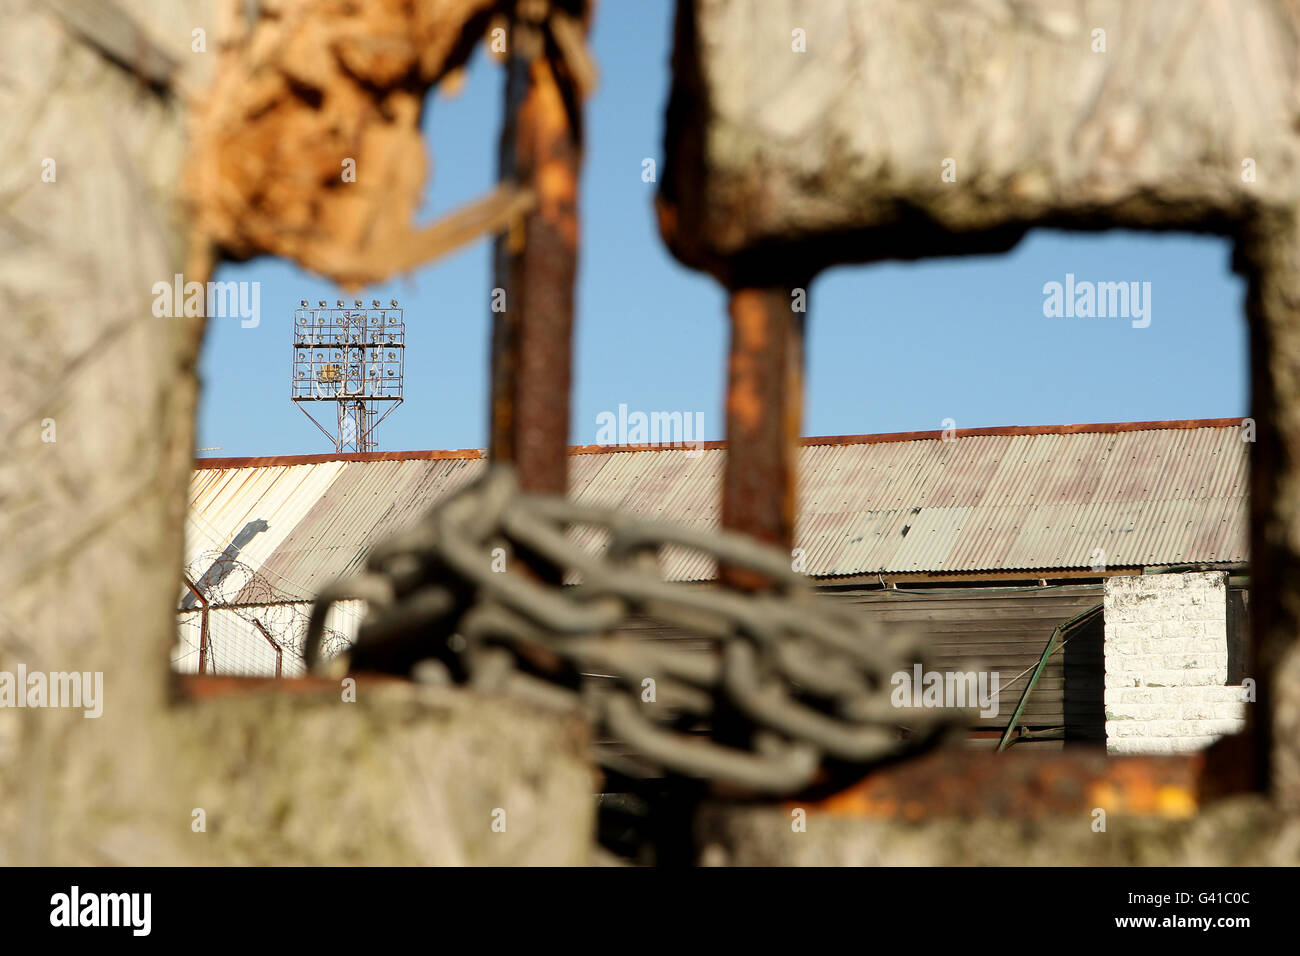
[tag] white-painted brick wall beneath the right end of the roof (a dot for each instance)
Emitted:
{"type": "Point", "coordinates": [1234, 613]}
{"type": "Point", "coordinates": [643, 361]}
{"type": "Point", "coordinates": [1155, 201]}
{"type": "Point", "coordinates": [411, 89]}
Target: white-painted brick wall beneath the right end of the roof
{"type": "Point", "coordinates": [1167, 664]}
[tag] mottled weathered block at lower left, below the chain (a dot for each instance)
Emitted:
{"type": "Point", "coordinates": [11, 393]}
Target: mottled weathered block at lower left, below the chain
{"type": "Point", "coordinates": [405, 776]}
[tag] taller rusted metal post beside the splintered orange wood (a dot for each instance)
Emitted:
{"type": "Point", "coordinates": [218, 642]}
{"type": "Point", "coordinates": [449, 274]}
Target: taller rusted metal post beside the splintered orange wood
{"type": "Point", "coordinates": [536, 261]}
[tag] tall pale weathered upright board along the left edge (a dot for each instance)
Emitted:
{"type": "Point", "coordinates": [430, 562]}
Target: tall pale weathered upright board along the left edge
{"type": "Point", "coordinates": [97, 410]}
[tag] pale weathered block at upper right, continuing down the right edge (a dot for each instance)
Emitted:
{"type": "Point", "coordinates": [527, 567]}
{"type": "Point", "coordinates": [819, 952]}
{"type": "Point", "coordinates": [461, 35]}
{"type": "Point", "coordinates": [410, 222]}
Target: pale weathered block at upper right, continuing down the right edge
{"type": "Point", "coordinates": [805, 135]}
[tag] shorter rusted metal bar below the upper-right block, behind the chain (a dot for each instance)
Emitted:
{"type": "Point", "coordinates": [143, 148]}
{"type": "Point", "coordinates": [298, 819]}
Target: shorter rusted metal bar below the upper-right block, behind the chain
{"type": "Point", "coordinates": [765, 403]}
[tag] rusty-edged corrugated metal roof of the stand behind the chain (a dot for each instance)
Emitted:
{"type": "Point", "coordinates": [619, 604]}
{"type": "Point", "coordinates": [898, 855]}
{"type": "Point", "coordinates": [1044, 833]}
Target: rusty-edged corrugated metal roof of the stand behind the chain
{"type": "Point", "coordinates": [989, 500]}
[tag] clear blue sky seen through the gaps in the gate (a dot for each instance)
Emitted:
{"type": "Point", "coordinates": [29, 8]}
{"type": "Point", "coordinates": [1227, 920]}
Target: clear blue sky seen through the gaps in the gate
{"type": "Point", "coordinates": [892, 347]}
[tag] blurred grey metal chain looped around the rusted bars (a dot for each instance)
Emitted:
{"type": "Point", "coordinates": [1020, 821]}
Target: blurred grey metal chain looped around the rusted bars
{"type": "Point", "coordinates": [807, 681]}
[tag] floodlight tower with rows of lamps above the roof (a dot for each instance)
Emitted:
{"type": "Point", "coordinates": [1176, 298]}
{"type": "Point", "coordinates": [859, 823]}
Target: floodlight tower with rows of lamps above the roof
{"type": "Point", "coordinates": [353, 358]}
